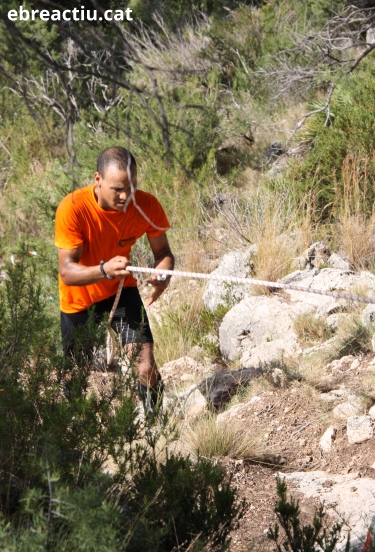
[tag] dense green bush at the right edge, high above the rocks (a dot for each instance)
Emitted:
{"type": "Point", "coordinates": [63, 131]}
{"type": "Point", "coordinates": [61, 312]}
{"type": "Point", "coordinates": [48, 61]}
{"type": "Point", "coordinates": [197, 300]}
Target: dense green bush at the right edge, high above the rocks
{"type": "Point", "coordinates": [339, 168]}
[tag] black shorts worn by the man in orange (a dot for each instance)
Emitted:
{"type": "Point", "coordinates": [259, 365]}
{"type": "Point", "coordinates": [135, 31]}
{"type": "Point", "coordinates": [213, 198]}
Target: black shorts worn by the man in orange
{"type": "Point", "coordinates": [130, 319]}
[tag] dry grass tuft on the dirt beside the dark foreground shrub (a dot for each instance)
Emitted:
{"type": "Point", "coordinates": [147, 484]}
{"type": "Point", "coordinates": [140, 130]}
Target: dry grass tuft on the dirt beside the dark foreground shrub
{"type": "Point", "coordinates": [209, 439]}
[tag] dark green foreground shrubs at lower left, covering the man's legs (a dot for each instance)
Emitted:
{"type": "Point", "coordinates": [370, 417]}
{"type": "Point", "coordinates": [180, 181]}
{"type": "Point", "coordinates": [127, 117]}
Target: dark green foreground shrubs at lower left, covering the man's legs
{"type": "Point", "coordinates": [84, 473]}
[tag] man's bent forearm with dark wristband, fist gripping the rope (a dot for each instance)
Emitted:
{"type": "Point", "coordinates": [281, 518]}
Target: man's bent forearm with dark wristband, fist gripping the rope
{"type": "Point", "coordinates": [74, 274]}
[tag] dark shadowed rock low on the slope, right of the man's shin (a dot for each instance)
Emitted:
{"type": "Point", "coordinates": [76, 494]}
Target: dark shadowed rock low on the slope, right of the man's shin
{"type": "Point", "coordinates": [221, 386]}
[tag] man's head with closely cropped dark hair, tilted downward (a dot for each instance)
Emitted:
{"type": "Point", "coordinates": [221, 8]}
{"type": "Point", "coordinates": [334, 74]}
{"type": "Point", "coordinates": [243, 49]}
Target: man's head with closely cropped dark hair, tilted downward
{"type": "Point", "coordinates": [113, 186]}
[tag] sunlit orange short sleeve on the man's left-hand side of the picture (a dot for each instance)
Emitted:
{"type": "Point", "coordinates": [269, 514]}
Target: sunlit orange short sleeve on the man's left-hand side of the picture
{"type": "Point", "coordinates": [68, 234]}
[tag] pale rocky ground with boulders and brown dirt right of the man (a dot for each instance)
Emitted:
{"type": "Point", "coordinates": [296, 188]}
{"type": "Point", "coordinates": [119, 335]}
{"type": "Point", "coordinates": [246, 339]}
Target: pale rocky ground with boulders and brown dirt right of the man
{"type": "Point", "coordinates": [316, 430]}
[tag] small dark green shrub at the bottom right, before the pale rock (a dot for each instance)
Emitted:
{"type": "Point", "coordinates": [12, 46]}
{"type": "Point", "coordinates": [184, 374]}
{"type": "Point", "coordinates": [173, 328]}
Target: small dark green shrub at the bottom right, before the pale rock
{"type": "Point", "coordinates": [297, 537]}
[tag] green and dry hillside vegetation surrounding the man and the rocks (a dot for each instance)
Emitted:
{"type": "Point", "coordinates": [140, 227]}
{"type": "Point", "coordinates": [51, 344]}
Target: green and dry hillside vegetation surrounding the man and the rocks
{"type": "Point", "coordinates": [200, 92]}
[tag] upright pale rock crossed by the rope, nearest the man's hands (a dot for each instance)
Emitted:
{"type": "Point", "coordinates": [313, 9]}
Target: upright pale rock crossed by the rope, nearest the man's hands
{"type": "Point", "coordinates": [236, 263]}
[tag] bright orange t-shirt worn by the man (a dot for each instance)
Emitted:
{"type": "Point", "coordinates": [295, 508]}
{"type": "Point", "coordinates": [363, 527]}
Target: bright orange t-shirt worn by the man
{"type": "Point", "coordinates": [104, 234]}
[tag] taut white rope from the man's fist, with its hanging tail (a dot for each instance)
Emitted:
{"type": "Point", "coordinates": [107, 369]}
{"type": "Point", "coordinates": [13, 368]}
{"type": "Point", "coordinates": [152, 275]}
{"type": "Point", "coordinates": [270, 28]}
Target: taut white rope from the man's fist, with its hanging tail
{"type": "Point", "coordinates": [111, 342]}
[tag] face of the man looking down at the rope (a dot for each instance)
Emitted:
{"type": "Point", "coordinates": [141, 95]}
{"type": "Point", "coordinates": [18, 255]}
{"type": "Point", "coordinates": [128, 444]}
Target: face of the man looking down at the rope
{"type": "Point", "coordinates": [114, 188]}
